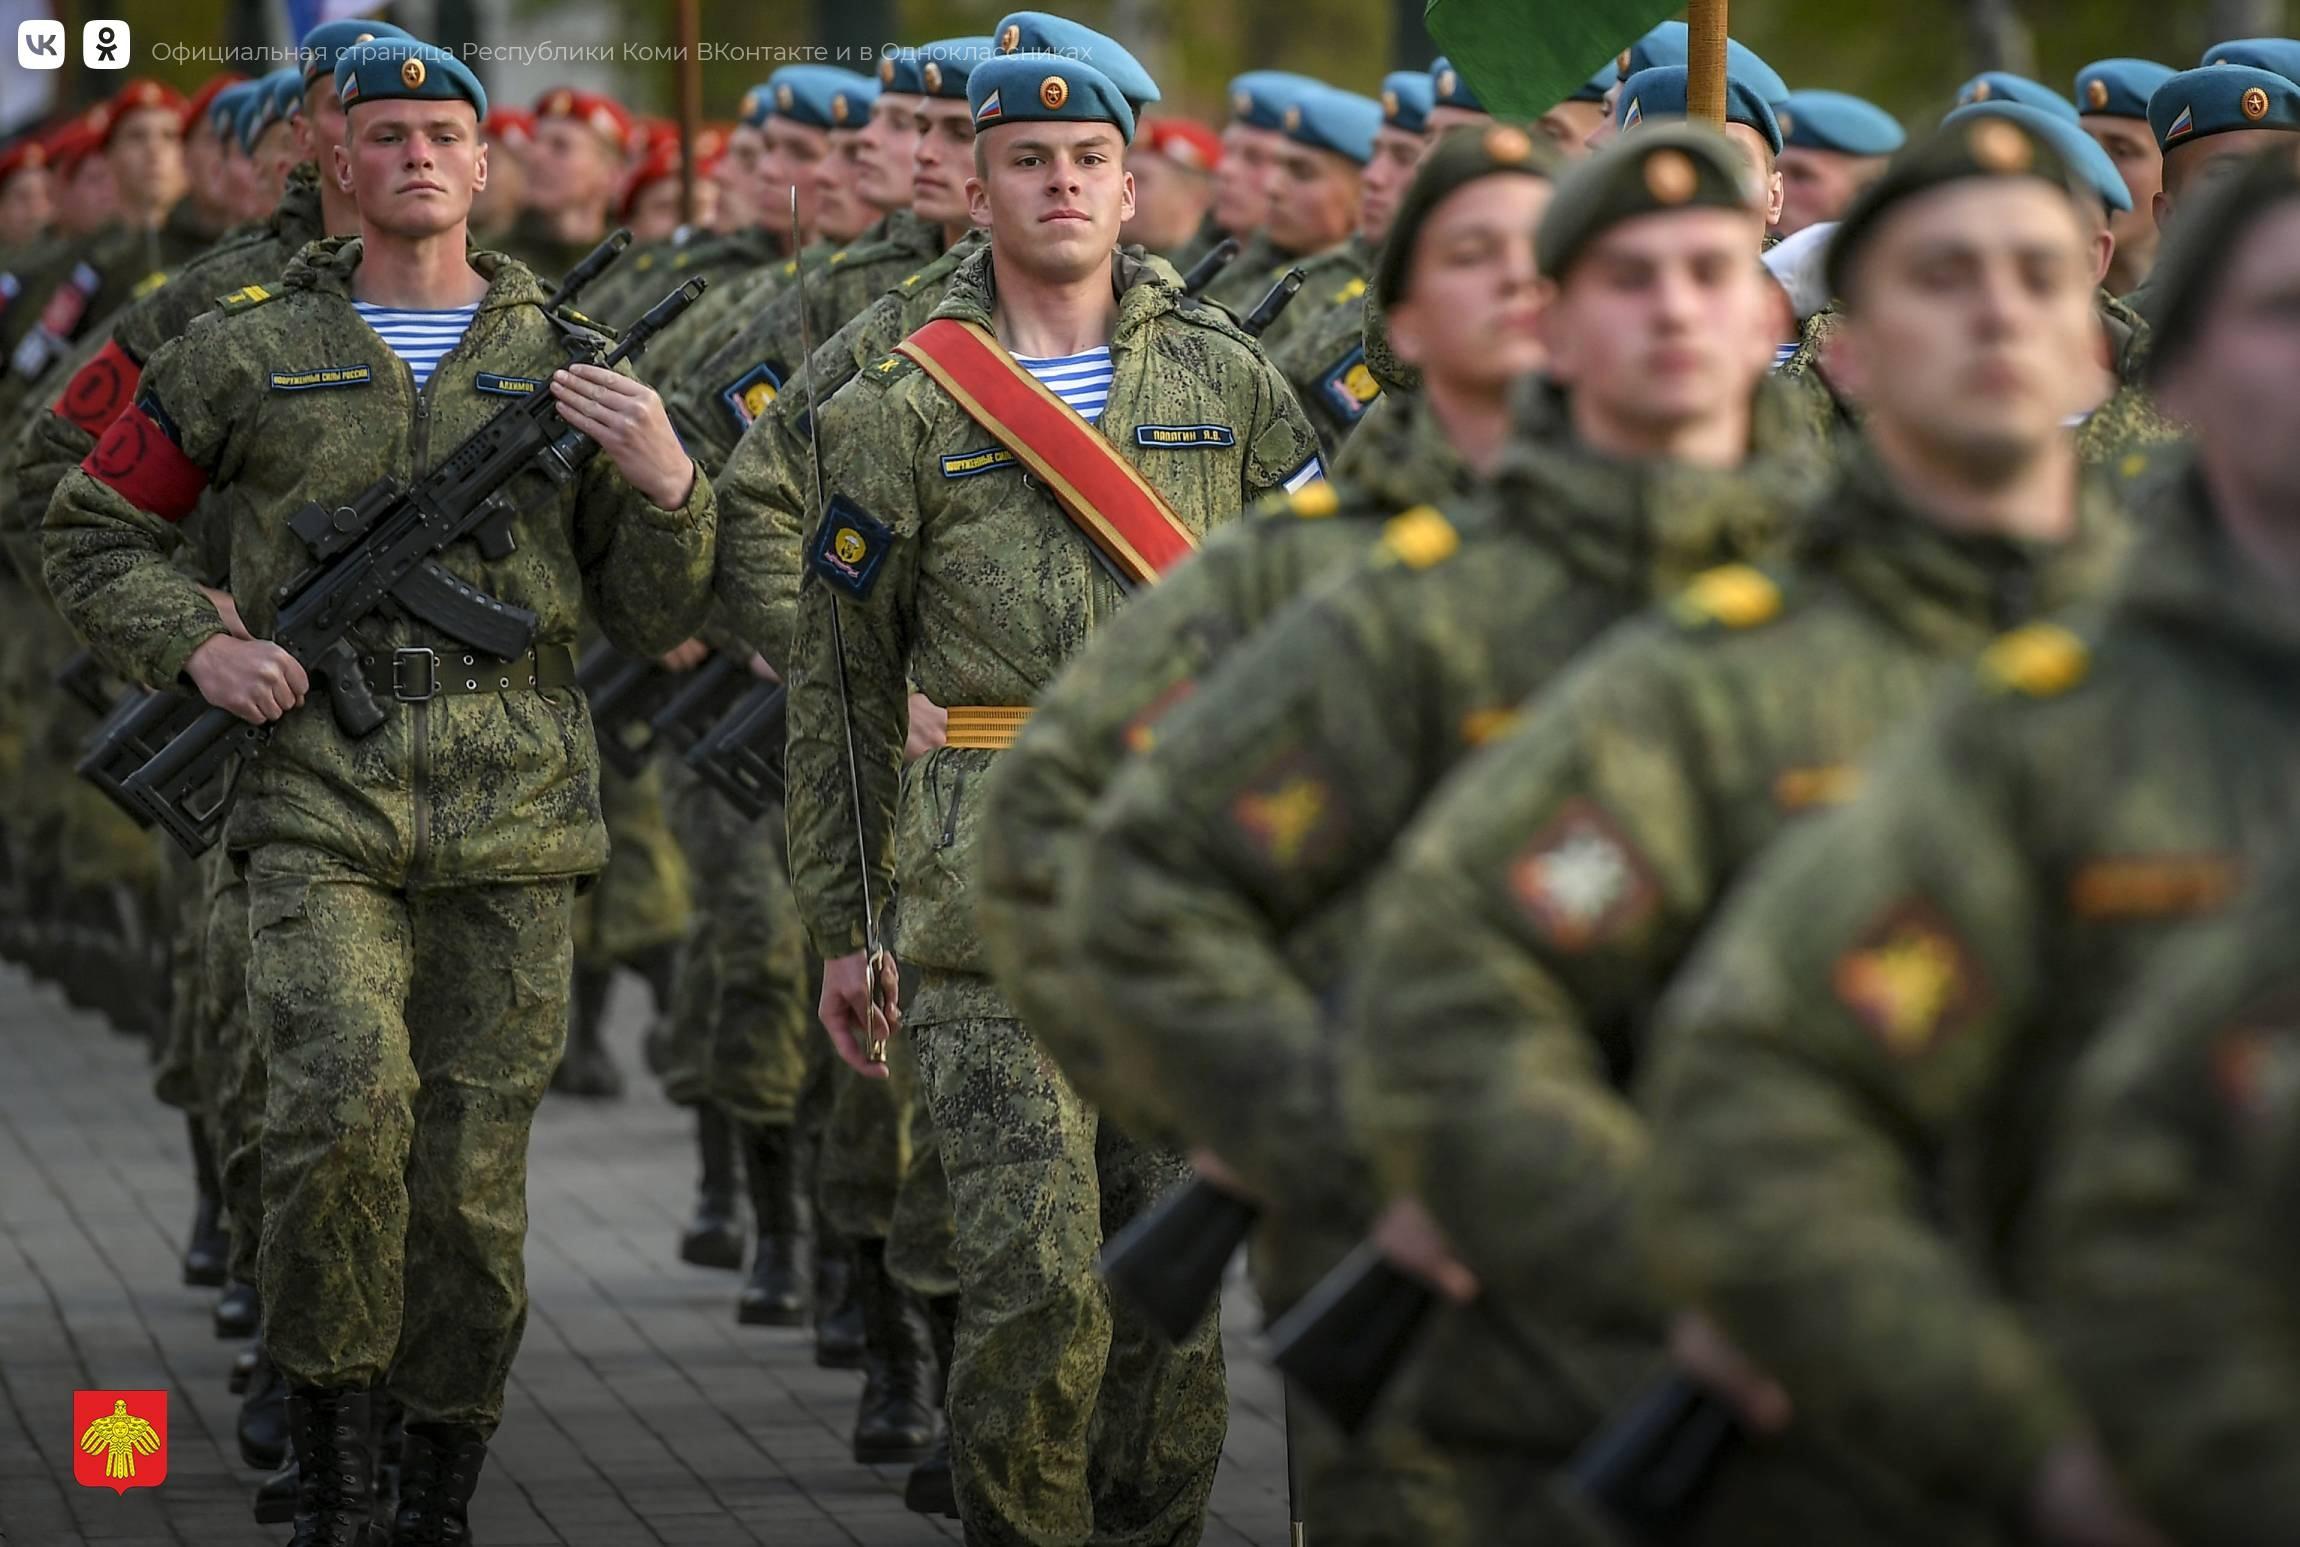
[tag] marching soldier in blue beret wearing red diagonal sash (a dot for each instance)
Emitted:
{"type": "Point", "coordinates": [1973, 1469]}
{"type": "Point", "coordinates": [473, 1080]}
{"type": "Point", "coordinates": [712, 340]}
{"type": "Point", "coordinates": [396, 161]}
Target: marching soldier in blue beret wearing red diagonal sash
{"type": "Point", "coordinates": [953, 465]}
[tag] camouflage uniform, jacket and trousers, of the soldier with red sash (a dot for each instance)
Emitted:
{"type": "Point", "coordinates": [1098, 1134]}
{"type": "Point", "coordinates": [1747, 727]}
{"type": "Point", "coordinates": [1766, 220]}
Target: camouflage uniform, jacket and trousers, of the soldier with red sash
{"type": "Point", "coordinates": [1068, 1422]}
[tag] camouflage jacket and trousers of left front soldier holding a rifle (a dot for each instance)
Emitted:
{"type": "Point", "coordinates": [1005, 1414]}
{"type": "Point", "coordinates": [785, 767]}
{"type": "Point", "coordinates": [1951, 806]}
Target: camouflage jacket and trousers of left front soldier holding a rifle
{"type": "Point", "coordinates": [408, 893]}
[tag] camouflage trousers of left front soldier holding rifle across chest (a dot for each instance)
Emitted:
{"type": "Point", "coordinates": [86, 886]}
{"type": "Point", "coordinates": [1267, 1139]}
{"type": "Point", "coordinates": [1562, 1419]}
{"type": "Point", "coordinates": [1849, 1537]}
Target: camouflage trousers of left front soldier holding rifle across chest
{"type": "Point", "coordinates": [411, 1038]}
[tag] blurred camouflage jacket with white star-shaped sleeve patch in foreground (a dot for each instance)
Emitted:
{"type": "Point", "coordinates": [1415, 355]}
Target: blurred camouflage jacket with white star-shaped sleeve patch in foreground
{"type": "Point", "coordinates": [1517, 944]}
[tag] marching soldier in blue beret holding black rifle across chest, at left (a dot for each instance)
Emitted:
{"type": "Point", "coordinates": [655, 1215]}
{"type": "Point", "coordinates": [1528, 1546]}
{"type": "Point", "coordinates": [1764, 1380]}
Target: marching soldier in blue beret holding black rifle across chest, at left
{"type": "Point", "coordinates": [408, 895]}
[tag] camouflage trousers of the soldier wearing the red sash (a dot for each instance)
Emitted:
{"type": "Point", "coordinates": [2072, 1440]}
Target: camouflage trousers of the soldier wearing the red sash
{"type": "Point", "coordinates": [1071, 1419]}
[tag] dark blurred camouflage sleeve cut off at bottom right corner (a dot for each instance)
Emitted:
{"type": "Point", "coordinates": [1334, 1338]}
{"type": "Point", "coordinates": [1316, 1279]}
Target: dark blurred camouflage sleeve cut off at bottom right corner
{"type": "Point", "coordinates": [2170, 1279]}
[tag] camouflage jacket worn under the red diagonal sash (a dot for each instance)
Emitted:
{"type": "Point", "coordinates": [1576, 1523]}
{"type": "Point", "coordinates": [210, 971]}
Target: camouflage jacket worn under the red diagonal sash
{"type": "Point", "coordinates": [983, 590]}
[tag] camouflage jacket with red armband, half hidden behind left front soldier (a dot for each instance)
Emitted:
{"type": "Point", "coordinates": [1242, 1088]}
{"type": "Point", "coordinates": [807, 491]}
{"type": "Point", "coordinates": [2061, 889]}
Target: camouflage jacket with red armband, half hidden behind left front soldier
{"type": "Point", "coordinates": [54, 438]}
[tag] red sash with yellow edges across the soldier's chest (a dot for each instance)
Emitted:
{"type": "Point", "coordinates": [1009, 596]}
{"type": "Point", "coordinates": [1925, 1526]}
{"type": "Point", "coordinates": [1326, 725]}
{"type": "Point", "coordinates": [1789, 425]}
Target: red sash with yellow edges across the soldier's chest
{"type": "Point", "coordinates": [1098, 488]}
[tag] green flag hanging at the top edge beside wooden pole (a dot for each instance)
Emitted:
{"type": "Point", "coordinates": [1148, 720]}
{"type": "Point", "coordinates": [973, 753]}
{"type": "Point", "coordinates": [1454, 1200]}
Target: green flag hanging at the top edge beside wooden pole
{"type": "Point", "coordinates": [1526, 56]}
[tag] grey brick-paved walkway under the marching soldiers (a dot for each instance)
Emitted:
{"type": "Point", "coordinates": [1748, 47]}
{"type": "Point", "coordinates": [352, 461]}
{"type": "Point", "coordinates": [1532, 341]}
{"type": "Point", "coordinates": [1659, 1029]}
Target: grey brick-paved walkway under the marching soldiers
{"type": "Point", "coordinates": [641, 1413]}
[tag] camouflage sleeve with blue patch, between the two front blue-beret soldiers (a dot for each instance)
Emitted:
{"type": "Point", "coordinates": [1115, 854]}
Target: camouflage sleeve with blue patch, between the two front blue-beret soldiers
{"type": "Point", "coordinates": [721, 397]}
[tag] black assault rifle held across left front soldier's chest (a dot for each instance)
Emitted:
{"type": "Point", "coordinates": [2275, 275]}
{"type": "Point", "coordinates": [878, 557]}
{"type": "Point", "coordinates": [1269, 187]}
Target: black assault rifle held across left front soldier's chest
{"type": "Point", "coordinates": [383, 548]}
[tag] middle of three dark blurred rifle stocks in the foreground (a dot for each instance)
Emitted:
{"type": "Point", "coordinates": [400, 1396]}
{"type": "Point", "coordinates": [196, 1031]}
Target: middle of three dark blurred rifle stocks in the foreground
{"type": "Point", "coordinates": [1347, 1339]}
